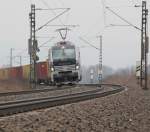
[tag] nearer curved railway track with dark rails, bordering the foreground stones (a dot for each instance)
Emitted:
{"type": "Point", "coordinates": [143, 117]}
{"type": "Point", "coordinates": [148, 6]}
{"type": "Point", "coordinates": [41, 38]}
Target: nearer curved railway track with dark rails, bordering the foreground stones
{"type": "Point", "coordinates": [14, 107]}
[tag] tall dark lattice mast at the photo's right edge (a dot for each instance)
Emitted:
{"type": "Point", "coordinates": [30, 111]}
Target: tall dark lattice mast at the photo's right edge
{"type": "Point", "coordinates": [144, 46]}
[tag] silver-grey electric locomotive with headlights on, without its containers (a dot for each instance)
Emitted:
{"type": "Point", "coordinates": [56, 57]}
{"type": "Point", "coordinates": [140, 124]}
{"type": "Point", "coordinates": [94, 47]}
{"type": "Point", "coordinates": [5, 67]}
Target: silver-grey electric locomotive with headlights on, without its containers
{"type": "Point", "coordinates": [65, 63]}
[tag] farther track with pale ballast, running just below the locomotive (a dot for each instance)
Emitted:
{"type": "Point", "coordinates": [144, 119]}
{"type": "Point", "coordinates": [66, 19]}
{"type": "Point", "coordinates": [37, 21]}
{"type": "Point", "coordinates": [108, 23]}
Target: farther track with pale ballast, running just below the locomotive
{"type": "Point", "coordinates": [43, 92]}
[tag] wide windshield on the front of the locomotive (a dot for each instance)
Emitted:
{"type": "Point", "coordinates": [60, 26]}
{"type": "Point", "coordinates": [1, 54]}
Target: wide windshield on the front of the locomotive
{"type": "Point", "coordinates": [64, 56]}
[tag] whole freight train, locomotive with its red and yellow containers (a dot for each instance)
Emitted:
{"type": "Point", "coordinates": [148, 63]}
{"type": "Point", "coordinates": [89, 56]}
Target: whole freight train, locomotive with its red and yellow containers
{"type": "Point", "coordinates": [62, 66]}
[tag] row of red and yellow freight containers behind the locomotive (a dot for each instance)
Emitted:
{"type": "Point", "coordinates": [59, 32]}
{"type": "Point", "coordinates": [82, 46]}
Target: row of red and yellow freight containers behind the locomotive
{"type": "Point", "coordinates": [23, 73]}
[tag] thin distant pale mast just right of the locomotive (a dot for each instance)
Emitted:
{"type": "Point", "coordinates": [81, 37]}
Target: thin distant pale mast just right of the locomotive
{"type": "Point", "coordinates": [100, 76]}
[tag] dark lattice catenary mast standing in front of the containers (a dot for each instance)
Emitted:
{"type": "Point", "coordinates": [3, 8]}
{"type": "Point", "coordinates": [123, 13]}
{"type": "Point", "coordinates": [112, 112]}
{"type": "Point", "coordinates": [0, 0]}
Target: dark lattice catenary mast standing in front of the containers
{"type": "Point", "coordinates": [33, 48]}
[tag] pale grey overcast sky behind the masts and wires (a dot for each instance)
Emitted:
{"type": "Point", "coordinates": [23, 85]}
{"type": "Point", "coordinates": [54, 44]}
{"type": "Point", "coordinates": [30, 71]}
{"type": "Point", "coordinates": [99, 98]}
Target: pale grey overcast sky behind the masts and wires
{"type": "Point", "coordinates": [121, 45]}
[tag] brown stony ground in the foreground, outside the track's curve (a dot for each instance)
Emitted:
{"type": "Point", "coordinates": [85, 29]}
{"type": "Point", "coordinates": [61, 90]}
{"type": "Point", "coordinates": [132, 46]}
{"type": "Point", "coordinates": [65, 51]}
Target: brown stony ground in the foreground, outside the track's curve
{"type": "Point", "coordinates": [128, 111]}
